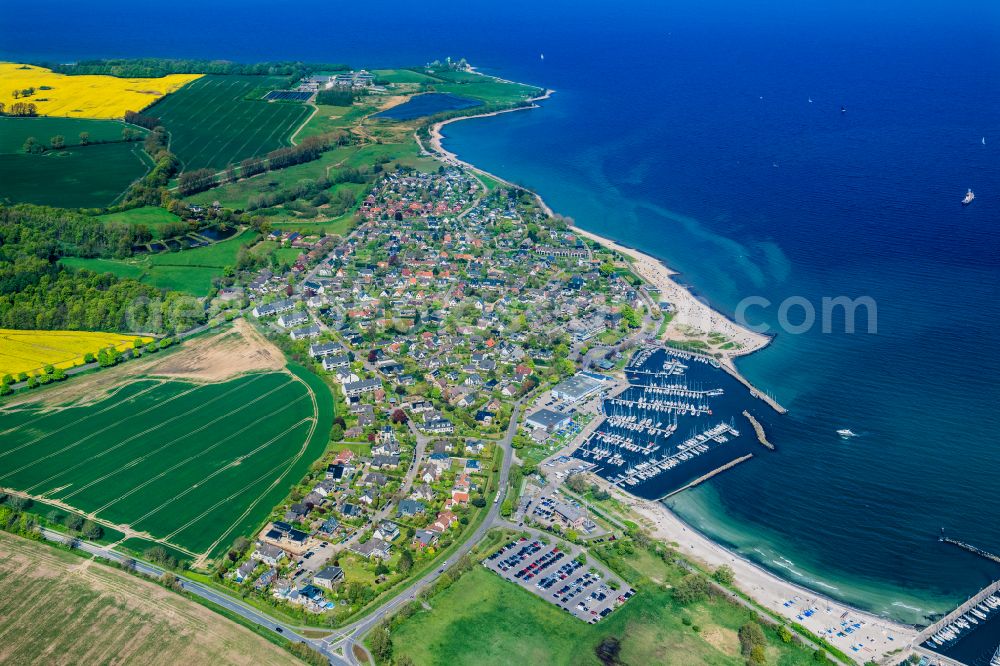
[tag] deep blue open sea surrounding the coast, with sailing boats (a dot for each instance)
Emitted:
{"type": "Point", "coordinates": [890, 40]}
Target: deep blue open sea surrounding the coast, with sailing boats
{"type": "Point", "coordinates": [687, 131]}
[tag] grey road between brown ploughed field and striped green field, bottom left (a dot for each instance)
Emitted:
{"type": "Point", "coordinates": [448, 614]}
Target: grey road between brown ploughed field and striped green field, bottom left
{"type": "Point", "coordinates": [221, 599]}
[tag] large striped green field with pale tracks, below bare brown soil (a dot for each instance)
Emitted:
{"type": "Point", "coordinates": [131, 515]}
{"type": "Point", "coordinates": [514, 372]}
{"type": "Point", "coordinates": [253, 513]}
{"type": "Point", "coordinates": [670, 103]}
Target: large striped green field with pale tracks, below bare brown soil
{"type": "Point", "coordinates": [193, 465]}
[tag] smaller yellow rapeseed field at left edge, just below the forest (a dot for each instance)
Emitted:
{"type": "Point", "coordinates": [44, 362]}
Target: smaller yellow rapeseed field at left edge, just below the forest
{"type": "Point", "coordinates": [30, 351]}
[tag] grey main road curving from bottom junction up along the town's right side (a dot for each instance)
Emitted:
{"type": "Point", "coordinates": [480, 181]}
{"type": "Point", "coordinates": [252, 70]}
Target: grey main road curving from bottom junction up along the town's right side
{"type": "Point", "coordinates": [350, 636]}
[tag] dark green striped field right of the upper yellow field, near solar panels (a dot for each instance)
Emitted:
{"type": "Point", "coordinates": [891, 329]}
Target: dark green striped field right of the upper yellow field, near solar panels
{"type": "Point", "coordinates": [212, 123]}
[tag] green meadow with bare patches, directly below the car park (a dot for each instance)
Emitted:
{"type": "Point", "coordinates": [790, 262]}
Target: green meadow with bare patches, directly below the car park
{"type": "Point", "coordinates": [485, 620]}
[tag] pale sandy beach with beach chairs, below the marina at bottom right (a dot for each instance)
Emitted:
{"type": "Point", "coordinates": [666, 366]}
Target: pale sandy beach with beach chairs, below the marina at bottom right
{"type": "Point", "coordinates": [875, 638]}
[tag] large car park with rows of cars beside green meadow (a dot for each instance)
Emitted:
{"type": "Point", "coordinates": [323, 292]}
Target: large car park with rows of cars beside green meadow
{"type": "Point", "coordinates": [553, 573]}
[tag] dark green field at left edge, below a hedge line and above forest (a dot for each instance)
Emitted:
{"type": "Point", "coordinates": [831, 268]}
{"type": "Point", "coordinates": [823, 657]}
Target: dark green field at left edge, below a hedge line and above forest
{"type": "Point", "coordinates": [79, 177]}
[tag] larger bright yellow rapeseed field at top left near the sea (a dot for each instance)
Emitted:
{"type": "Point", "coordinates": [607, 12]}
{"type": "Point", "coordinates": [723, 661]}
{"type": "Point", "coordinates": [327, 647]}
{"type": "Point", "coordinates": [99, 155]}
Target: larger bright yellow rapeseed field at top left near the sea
{"type": "Point", "coordinates": [84, 96]}
